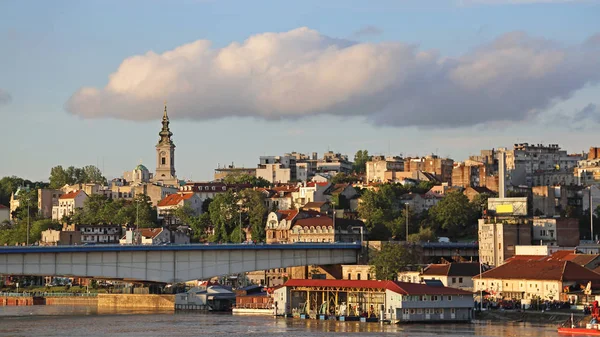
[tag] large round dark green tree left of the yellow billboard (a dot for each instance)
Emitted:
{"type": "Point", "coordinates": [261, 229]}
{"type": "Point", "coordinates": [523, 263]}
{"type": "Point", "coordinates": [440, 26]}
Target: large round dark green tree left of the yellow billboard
{"type": "Point", "coordinates": [453, 214]}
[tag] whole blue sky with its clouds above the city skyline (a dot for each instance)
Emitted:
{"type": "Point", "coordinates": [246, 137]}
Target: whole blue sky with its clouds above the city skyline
{"type": "Point", "coordinates": [84, 82]}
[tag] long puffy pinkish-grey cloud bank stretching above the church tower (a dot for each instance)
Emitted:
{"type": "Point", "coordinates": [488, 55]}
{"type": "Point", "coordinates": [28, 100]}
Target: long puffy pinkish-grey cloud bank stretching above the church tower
{"type": "Point", "coordinates": [303, 73]}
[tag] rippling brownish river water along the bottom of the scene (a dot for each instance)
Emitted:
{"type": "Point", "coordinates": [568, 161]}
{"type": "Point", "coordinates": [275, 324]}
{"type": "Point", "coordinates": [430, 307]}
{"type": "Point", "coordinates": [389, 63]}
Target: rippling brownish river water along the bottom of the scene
{"type": "Point", "coordinates": [89, 321]}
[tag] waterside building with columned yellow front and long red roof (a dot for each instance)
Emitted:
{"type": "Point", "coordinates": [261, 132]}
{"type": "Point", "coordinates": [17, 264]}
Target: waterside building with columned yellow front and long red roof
{"type": "Point", "coordinates": [371, 300]}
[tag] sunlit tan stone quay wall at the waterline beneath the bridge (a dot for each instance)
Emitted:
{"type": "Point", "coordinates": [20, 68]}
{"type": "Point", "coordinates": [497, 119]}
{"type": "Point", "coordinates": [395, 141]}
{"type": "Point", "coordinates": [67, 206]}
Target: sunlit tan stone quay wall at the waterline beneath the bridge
{"type": "Point", "coordinates": [134, 301]}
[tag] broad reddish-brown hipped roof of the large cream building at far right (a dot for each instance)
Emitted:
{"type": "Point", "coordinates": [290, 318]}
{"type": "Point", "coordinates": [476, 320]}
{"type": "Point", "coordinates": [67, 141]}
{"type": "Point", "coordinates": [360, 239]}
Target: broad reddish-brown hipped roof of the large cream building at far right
{"type": "Point", "coordinates": [541, 270]}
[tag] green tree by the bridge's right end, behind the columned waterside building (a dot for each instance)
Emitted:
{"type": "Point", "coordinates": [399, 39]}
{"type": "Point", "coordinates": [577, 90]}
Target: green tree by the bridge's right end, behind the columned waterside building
{"type": "Point", "coordinates": [391, 259]}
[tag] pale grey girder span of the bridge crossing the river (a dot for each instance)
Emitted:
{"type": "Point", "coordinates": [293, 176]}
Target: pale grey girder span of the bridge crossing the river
{"type": "Point", "coordinates": [168, 263]}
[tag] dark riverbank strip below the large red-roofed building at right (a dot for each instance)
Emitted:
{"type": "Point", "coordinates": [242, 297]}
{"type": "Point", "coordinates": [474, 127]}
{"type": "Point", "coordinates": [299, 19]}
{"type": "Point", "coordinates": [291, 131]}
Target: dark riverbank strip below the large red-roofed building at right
{"type": "Point", "coordinates": [538, 317]}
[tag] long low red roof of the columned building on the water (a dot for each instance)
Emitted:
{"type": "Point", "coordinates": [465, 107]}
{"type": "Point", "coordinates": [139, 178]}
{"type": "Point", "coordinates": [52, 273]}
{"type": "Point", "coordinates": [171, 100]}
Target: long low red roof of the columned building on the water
{"type": "Point", "coordinates": [403, 288]}
